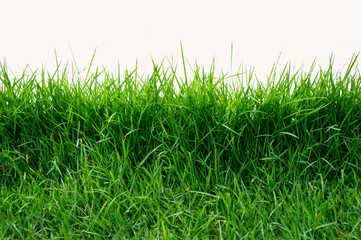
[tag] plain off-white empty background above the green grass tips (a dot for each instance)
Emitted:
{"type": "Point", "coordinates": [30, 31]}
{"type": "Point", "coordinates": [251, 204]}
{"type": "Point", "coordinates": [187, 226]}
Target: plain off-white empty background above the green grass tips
{"type": "Point", "coordinates": [126, 31]}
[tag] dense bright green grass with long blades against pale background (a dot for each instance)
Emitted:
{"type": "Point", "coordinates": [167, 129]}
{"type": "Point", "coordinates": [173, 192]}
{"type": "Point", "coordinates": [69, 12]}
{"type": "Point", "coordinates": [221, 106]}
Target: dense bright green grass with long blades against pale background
{"type": "Point", "coordinates": [125, 158]}
